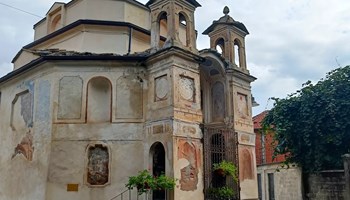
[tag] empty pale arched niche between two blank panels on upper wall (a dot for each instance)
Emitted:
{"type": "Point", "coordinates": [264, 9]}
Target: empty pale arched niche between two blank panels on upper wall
{"type": "Point", "coordinates": [99, 100]}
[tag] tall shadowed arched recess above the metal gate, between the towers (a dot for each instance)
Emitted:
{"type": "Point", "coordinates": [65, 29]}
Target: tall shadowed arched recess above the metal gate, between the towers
{"type": "Point", "coordinates": [213, 98]}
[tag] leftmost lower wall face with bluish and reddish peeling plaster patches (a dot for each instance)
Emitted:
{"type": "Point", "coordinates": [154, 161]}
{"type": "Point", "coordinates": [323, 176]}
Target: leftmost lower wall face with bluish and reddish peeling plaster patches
{"type": "Point", "coordinates": [25, 146]}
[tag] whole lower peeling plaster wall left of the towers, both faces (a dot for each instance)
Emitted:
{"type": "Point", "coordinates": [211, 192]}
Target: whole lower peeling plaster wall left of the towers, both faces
{"type": "Point", "coordinates": [60, 147]}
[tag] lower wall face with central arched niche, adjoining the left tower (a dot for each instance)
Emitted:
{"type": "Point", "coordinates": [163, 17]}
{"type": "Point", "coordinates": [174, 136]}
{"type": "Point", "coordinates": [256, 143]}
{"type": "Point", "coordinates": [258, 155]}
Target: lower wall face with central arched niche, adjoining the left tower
{"type": "Point", "coordinates": [123, 136]}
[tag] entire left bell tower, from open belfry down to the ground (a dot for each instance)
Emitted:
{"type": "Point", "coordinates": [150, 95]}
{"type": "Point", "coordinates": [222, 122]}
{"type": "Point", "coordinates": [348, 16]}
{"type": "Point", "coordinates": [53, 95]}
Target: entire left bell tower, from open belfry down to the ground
{"type": "Point", "coordinates": [174, 114]}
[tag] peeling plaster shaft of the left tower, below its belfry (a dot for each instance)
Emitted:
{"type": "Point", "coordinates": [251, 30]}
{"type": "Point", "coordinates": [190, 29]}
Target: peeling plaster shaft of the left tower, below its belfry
{"type": "Point", "coordinates": [172, 117]}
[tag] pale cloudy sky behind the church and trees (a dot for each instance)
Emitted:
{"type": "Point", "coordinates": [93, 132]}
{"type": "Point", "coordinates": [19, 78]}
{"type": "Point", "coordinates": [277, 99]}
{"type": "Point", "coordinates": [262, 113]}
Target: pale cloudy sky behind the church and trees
{"type": "Point", "coordinates": [290, 41]}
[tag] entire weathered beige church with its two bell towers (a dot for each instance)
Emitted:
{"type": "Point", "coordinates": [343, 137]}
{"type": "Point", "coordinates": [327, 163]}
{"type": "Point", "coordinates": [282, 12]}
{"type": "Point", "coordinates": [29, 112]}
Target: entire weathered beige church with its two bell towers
{"type": "Point", "coordinates": [99, 96]}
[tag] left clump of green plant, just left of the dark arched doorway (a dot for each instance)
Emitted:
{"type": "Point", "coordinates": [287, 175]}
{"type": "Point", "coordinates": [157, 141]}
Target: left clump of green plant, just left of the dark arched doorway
{"type": "Point", "coordinates": [144, 182]}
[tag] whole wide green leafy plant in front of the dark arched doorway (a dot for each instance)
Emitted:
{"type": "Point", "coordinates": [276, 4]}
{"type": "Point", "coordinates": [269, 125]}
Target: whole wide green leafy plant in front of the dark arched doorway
{"type": "Point", "coordinates": [145, 182]}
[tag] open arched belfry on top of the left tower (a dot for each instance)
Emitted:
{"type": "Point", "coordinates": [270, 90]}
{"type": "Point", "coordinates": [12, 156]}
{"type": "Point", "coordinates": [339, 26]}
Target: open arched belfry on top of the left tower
{"type": "Point", "coordinates": [173, 20]}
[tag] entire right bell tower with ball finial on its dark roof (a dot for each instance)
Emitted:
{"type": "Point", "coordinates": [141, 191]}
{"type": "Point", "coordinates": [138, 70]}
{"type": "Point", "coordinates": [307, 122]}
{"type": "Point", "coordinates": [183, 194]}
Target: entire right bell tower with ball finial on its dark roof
{"type": "Point", "coordinates": [227, 36]}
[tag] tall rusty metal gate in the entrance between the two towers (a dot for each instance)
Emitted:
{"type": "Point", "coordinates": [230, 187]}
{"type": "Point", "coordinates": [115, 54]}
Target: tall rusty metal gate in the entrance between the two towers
{"type": "Point", "coordinates": [219, 144]}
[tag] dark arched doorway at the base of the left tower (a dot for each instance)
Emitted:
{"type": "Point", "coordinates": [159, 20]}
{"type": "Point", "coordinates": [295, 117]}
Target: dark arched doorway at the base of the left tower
{"type": "Point", "coordinates": [157, 153]}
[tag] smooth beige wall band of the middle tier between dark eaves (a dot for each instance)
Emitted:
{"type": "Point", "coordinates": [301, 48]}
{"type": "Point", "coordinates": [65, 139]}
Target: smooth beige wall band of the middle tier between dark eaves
{"type": "Point", "coordinates": [90, 38]}
